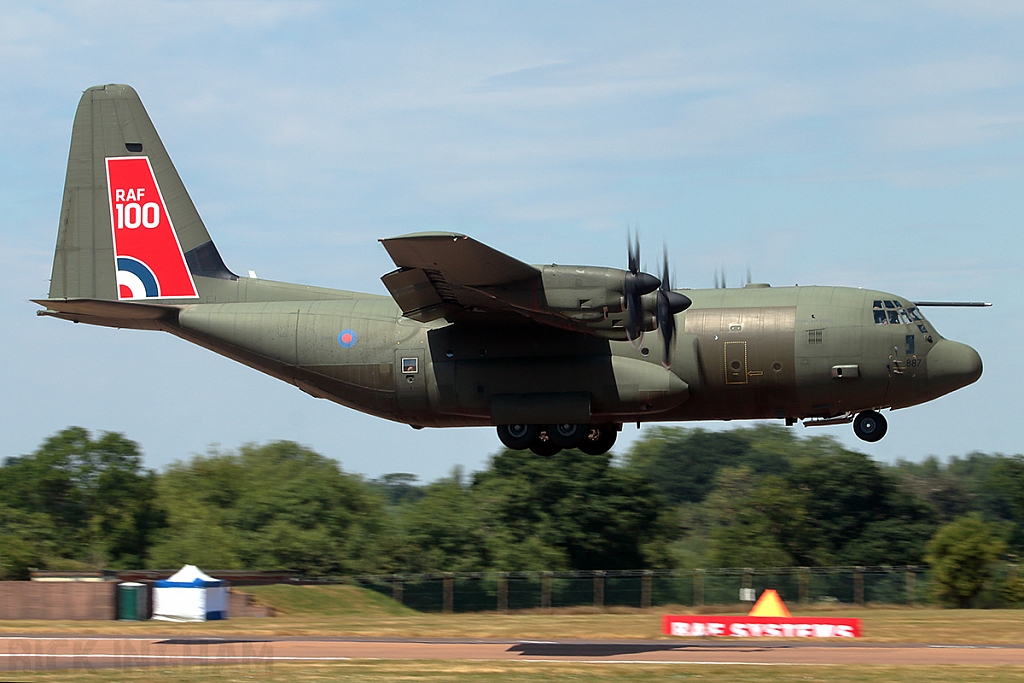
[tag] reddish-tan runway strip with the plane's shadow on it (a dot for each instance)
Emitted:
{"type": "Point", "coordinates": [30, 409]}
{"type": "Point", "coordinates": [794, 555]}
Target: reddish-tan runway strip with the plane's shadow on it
{"type": "Point", "coordinates": [52, 652]}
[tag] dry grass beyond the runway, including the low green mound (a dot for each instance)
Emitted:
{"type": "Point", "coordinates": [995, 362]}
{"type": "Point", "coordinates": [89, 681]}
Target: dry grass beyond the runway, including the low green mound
{"type": "Point", "coordinates": [350, 611]}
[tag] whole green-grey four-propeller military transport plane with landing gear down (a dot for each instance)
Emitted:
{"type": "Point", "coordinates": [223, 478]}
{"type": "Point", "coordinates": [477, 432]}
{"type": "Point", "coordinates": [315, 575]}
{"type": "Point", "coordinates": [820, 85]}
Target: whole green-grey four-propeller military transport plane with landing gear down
{"type": "Point", "coordinates": [556, 357]}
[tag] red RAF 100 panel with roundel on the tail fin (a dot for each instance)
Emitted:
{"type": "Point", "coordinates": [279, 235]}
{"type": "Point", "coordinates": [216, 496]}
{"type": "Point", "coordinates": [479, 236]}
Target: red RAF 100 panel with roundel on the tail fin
{"type": "Point", "coordinates": [149, 259]}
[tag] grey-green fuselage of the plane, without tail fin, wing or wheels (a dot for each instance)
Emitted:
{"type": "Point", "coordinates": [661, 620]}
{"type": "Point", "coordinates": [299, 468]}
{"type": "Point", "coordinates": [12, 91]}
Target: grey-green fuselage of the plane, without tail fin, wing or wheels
{"type": "Point", "coordinates": [790, 353]}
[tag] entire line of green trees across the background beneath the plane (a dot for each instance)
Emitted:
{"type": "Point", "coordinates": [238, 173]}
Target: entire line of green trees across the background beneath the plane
{"type": "Point", "coordinates": [680, 498]}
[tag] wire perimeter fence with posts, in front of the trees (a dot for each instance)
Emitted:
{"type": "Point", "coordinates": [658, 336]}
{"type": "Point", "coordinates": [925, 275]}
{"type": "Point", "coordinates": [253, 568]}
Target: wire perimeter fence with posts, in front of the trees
{"type": "Point", "coordinates": [462, 592]}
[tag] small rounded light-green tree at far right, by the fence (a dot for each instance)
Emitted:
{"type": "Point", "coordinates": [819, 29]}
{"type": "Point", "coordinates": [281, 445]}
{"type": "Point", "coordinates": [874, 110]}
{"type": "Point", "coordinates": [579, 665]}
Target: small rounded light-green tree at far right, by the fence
{"type": "Point", "coordinates": [962, 554]}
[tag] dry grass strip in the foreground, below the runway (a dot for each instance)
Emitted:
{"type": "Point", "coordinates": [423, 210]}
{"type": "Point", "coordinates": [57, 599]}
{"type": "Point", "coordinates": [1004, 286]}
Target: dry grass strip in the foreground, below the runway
{"type": "Point", "coordinates": [531, 673]}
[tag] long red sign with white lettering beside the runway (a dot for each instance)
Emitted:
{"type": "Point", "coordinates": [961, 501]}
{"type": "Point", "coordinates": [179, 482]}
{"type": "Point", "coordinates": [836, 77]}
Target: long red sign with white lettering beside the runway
{"type": "Point", "coordinates": [761, 627]}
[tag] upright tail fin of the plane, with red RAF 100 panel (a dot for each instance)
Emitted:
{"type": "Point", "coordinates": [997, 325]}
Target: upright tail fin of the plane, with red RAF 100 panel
{"type": "Point", "coordinates": [129, 231]}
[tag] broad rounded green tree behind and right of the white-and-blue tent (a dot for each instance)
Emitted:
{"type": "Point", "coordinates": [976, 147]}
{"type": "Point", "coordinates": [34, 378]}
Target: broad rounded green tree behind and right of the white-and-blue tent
{"type": "Point", "coordinates": [279, 506]}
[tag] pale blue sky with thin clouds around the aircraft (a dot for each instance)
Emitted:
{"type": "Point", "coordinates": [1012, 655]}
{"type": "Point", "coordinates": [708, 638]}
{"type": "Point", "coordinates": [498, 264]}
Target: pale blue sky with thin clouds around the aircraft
{"type": "Point", "coordinates": [835, 144]}
